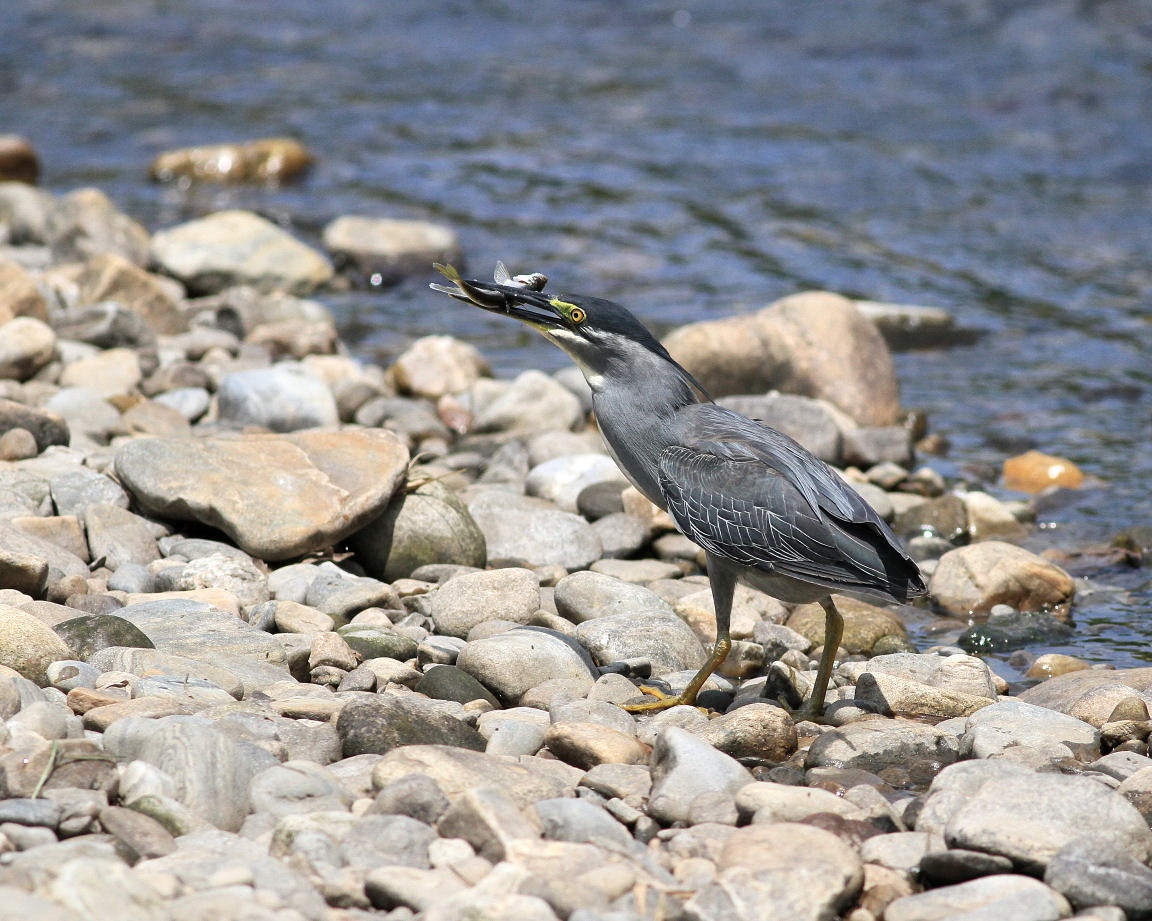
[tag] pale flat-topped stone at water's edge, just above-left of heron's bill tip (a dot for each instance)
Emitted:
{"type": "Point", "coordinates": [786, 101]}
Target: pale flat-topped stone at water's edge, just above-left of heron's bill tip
{"type": "Point", "coordinates": [384, 251]}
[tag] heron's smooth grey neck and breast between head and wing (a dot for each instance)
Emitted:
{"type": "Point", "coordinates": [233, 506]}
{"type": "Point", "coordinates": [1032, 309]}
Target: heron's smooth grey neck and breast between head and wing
{"type": "Point", "coordinates": [636, 414]}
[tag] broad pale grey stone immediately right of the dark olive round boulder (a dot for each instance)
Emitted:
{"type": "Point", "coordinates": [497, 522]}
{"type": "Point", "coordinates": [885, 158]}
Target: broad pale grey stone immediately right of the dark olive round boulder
{"type": "Point", "coordinates": [519, 529]}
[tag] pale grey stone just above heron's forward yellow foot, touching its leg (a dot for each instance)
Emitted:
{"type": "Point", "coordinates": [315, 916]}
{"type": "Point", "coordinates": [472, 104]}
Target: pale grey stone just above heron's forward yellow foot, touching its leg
{"type": "Point", "coordinates": [663, 639]}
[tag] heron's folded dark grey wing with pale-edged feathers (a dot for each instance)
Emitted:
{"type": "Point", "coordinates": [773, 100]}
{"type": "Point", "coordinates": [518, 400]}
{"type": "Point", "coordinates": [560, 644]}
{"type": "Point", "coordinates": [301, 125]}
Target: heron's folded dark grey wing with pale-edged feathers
{"type": "Point", "coordinates": [752, 495]}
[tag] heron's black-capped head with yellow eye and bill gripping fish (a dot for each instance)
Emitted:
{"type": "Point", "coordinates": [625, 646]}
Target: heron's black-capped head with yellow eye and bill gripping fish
{"type": "Point", "coordinates": [596, 334]}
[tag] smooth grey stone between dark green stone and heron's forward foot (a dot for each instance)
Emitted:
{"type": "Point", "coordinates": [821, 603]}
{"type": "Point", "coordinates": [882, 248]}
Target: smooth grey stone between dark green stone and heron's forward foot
{"type": "Point", "coordinates": [518, 661]}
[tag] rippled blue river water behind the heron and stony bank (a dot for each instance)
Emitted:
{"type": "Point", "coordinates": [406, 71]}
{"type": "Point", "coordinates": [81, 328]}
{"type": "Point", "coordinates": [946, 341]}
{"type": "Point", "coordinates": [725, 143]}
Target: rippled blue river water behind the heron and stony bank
{"type": "Point", "coordinates": [693, 160]}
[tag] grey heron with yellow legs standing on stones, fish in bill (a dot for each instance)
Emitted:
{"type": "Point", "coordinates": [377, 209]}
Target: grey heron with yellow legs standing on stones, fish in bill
{"type": "Point", "coordinates": [766, 510]}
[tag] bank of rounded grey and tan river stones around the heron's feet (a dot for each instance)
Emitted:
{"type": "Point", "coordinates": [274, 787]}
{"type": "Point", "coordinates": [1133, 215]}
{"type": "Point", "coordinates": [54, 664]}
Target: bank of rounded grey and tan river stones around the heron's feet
{"type": "Point", "coordinates": [286, 635]}
